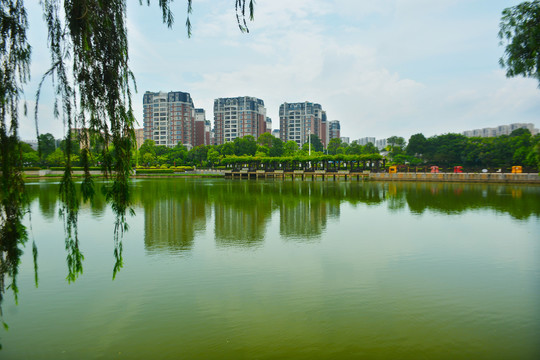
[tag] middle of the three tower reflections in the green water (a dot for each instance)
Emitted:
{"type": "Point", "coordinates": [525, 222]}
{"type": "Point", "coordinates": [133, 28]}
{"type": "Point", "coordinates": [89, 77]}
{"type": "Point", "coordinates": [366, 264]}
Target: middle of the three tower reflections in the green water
{"type": "Point", "coordinates": [240, 225]}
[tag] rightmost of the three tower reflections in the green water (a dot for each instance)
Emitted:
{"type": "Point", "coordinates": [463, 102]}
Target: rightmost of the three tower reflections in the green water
{"type": "Point", "coordinates": [305, 219]}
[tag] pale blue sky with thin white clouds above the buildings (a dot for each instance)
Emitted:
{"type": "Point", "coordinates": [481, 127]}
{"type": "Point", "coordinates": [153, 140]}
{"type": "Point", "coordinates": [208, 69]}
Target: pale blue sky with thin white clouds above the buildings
{"type": "Point", "coordinates": [380, 67]}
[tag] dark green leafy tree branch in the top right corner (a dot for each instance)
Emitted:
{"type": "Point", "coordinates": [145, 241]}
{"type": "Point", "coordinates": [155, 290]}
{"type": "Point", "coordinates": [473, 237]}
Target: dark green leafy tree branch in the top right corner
{"type": "Point", "coordinates": [520, 30]}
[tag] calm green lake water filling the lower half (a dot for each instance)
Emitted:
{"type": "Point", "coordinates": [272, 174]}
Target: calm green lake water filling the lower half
{"type": "Point", "coordinates": [221, 269]}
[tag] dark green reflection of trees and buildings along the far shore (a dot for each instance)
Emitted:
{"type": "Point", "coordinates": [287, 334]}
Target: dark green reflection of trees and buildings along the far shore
{"type": "Point", "coordinates": [177, 210]}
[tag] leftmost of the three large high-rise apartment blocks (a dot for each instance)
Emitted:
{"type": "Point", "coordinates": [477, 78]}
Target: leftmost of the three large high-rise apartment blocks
{"type": "Point", "coordinates": [169, 118]}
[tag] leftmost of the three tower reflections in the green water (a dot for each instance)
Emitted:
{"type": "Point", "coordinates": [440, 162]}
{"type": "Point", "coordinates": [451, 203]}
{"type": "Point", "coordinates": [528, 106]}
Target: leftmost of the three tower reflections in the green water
{"type": "Point", "coordinates": [171, 224]}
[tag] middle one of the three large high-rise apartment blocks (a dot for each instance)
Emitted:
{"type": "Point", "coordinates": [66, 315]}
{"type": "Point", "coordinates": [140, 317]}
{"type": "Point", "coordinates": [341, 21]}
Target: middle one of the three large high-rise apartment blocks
{"type": "Point", "coordinates": [238, 117]}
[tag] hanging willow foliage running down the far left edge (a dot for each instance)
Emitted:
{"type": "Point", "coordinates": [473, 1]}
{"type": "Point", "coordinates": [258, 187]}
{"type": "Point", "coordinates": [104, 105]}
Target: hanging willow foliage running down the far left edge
{"type": "Point", "coordinates": [14, 72]}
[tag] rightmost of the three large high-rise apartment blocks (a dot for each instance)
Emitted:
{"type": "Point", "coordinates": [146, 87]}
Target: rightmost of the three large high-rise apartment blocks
{"type": "Point", "coordinates": [298, 120]}
